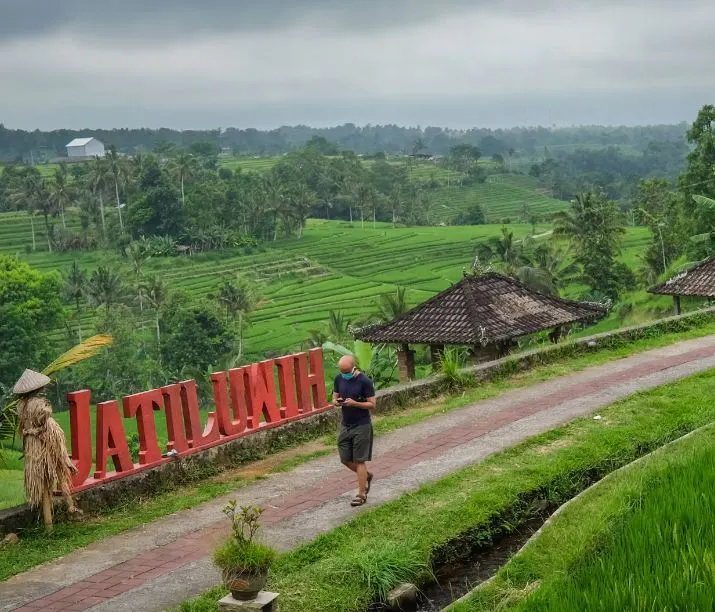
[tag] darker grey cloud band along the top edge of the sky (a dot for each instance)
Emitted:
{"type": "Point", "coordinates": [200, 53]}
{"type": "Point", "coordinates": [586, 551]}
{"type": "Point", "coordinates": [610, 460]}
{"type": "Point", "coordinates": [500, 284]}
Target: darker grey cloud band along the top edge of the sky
{"type": "Point", "coordinates": [162, 19]}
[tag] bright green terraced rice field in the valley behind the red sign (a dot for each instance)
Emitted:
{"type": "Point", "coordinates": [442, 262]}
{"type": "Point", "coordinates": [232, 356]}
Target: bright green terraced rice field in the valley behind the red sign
{"type": "Point", "coordinates": [335, 266]}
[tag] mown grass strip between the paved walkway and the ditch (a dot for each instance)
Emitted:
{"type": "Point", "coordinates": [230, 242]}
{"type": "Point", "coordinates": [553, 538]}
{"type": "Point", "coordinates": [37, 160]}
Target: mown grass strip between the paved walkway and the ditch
{"type": "Point", "coordinates": [467, 507]}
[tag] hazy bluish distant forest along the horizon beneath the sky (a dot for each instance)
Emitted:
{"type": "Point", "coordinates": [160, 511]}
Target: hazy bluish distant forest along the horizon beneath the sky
{"type": "Point", "coordinates": [24, 146]}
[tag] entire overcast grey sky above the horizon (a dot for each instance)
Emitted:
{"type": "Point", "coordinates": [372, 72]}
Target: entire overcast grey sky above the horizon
{"type": "Point", "coordinates": [265, 63]}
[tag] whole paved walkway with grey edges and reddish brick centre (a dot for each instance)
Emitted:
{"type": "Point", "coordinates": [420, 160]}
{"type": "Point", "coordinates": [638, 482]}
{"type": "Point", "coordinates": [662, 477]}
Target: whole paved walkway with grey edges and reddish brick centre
{"type": "Point", "coordinates": [158, 565]}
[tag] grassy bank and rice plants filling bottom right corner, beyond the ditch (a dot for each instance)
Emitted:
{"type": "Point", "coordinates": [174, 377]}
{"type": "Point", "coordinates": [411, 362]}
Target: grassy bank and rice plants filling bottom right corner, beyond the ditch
{"type": "Point", "coordinates": [647, 533]}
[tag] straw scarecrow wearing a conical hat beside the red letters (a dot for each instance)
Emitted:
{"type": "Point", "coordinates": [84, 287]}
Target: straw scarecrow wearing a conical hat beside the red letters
{"type": "Point", "coordinates": [48, 467]}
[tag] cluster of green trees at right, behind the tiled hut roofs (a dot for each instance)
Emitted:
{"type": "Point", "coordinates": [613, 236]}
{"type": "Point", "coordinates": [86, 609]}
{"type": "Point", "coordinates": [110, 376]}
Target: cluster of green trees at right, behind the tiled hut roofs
{"type": "Point", "coordinates": [588, 238]}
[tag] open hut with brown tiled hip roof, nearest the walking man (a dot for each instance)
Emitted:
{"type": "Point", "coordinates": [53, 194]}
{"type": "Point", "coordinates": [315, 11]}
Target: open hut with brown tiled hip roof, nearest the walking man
{"type": "Point", "coordinates": [486, 313]}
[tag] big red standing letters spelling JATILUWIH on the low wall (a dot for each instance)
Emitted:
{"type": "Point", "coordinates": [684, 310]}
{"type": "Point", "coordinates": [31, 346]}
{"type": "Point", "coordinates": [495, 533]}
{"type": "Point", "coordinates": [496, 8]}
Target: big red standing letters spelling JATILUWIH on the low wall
{"type": "Point", "coordinates": [246, 400]}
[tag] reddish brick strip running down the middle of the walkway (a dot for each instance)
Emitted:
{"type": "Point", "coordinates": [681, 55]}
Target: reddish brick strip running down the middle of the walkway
{"type": "Point", "coordinates": [105, 586]}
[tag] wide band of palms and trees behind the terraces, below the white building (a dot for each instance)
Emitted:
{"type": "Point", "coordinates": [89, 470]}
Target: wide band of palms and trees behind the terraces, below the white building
{"type": "Point", "coordinates": [181, 197]}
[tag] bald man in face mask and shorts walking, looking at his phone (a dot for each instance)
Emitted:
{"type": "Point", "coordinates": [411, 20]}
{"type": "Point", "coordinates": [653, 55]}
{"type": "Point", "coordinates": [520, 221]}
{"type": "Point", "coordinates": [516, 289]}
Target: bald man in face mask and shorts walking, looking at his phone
{"type": "Point", "coordinates": [355, 394]}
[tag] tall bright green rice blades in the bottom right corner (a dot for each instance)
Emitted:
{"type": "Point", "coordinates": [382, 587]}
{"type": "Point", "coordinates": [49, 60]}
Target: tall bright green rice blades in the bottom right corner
{"type": "Point", "coordinates": [661, 556]}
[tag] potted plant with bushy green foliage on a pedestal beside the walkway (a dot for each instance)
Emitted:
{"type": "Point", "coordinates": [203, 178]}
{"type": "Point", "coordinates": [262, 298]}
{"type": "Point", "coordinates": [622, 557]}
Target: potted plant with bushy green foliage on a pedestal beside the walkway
{"type": "Point", "coordinates": [243, 562]}
